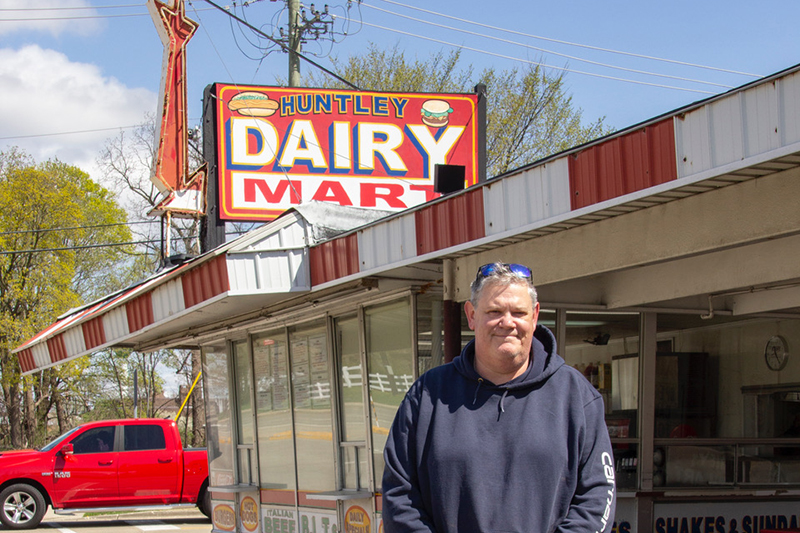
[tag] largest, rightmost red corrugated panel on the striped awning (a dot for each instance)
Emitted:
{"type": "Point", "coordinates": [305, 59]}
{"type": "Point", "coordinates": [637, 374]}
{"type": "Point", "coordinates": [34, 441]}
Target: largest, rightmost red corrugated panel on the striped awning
{"type": "Point", "coordinates": [622, 165]}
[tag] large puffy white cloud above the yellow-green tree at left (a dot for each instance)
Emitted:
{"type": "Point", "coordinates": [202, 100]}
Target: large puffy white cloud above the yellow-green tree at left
{"type": "Point", "coordinates": [43, 93]}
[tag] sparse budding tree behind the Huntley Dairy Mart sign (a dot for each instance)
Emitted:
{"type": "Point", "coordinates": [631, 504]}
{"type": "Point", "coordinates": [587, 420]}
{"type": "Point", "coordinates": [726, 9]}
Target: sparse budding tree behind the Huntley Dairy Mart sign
{"type": "Point", "coordinates": [529, 113]}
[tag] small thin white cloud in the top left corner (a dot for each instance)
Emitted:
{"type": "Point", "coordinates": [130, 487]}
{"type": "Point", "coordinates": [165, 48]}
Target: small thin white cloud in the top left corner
{"type": "Point", "coordinates": [49, 16]}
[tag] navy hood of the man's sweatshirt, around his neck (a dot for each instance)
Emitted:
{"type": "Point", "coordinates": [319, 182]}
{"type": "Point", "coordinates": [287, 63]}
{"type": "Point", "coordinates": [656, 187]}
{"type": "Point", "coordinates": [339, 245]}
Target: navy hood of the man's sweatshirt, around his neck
{"type": "Point", "coordinates": [544, 361]}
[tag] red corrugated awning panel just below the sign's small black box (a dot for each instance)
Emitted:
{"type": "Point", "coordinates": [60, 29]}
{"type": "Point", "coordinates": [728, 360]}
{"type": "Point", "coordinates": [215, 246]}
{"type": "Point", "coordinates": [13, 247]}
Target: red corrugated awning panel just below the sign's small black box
{"type": "Point", "coordinates": [455, 221]}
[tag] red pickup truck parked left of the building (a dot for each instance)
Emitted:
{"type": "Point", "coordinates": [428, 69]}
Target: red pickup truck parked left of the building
{"type": "Point", "coordinates": [137, 463]}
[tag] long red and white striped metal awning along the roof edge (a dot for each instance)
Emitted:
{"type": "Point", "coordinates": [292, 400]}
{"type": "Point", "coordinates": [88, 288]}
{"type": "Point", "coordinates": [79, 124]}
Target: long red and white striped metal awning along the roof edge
{"type": "Point", "coordinates": [747, 133]}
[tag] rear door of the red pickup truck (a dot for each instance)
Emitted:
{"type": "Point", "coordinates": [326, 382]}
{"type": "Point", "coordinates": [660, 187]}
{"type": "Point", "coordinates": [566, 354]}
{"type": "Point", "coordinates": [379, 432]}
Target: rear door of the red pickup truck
{"type": "Point", "coordinates": [149, 466]}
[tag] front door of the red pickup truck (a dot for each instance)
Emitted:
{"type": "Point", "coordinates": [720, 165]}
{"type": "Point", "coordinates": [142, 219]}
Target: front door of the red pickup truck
{"type": "Point", "coordinates": [88, 477]}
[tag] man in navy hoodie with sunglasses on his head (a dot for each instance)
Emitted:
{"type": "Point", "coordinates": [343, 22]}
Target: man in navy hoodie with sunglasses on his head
{"type": "Point", "coordinates": [505, 438]}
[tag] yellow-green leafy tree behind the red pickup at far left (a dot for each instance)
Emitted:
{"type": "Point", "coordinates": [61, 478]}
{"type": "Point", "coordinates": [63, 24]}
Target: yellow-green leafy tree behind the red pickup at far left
{"type": "Point", "coordinates": [52, 219]}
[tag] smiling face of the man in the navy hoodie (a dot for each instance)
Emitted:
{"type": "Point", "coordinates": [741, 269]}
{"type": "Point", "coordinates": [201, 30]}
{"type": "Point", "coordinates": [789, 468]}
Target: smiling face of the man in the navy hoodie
{"type": "Point", "coordinates": [503, 320]}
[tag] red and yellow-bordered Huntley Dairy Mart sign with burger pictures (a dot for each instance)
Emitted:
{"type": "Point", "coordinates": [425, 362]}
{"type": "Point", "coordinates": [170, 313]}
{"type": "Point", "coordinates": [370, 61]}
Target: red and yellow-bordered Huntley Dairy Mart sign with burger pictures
{"type": "Point", "coordinates": [278, 147]}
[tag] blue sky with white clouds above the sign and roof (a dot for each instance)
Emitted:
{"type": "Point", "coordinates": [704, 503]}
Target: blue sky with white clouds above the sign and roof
{"type": "Point", "coordinates": [93, 70]}
